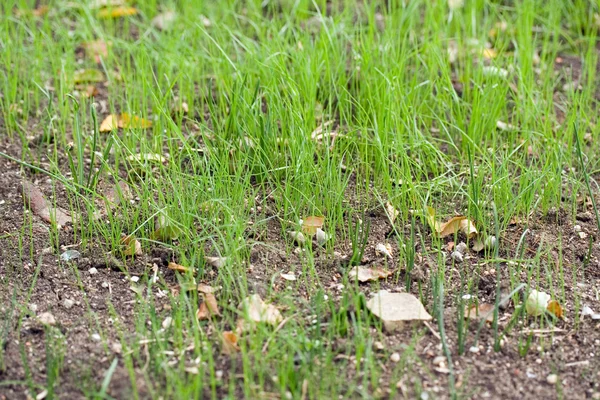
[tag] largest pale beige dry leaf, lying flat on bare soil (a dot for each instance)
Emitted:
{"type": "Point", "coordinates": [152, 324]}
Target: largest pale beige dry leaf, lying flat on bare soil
{"type": "Point", "coordinates": [396, 310]}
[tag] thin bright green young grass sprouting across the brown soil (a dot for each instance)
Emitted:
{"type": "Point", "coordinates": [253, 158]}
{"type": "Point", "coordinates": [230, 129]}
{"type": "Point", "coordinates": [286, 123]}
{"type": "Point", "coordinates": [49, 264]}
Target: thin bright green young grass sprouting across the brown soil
{"type": "Point", "coordinates": [258, 78]}
